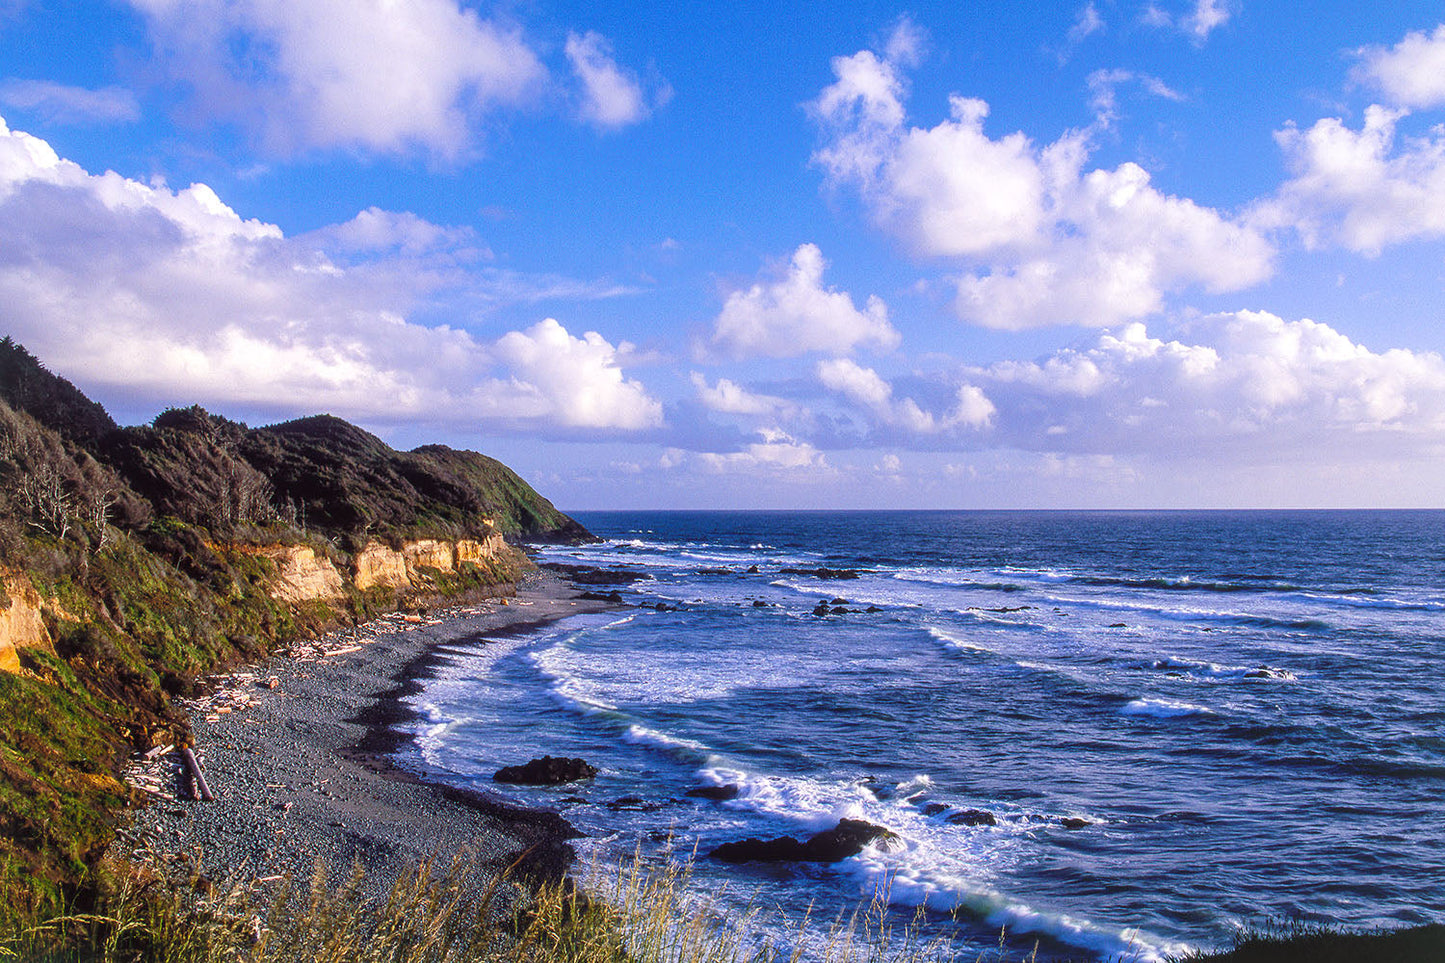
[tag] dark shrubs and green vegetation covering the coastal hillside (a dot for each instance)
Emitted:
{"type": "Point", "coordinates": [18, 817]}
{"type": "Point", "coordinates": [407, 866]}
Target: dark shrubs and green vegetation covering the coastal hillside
{"type": "Point", "coordinates": [142, 546]}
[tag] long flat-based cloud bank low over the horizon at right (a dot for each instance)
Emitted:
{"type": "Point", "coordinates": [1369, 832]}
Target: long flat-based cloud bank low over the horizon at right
{"type": "Point", "coordinates": [1251, 382]}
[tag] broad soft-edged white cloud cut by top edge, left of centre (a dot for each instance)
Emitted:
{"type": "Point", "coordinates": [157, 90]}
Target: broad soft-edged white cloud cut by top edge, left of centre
{"type": "Point", "coordinates": [385, 76]}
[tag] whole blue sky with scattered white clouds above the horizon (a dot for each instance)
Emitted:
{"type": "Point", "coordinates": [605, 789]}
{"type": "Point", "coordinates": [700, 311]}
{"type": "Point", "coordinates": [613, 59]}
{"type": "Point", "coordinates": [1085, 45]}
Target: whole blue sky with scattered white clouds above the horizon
{"type": "Point", "coordinates": [1118, 254]}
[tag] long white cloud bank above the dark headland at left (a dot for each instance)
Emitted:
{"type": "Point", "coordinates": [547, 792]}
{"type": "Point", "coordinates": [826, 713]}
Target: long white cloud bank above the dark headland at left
{"type": "Point", "coordinates": [161, 294]}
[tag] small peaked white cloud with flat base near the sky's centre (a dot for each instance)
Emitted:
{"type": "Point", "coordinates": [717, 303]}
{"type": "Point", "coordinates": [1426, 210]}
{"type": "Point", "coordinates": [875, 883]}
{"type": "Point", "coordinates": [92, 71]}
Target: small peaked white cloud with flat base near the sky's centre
{"type": "Point", "coordinates": [797, 314]}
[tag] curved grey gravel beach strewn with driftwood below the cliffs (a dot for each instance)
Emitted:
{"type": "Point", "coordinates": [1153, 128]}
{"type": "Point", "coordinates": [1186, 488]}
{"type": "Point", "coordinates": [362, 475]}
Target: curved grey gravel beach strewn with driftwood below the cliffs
{"type": "Point", "coordinates": [298, 756]}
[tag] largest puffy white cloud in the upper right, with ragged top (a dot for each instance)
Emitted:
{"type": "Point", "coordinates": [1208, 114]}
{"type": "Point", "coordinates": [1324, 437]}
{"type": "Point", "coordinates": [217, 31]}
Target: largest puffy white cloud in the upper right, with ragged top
{"type": "Point", "coordinates": [1043, 241]}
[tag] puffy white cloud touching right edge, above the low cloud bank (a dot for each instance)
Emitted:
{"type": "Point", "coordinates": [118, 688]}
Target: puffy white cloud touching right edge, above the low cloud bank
{"type": "Point", "coordinates": [1359, 189]}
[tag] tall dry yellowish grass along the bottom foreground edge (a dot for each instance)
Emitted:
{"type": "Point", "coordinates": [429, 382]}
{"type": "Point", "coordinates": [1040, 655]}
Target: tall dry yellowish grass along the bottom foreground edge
{"type": "Point", "coordinates": [457, 915]}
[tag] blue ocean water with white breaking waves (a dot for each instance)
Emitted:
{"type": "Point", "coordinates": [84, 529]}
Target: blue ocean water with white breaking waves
{"type": "Point", "coordinates": [1243, 715]}
